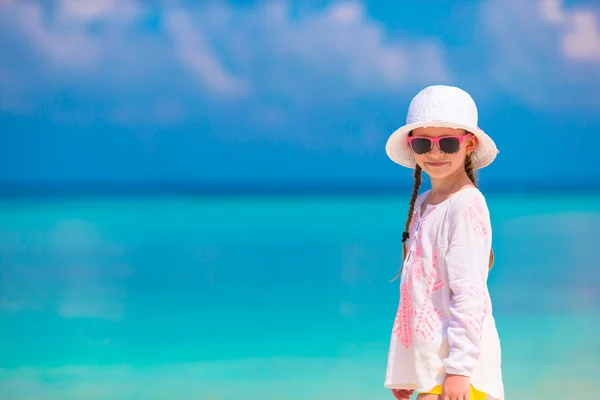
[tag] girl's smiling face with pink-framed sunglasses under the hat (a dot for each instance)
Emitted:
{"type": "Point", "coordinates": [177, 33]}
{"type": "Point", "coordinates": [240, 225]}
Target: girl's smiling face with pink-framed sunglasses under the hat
{"type": "Point", "coordinates": [445, 156]}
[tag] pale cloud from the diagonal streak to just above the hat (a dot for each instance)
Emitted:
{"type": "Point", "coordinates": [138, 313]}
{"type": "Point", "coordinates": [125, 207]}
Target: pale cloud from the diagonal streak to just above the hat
{"type": "Point", "coordinates": [274, 50]}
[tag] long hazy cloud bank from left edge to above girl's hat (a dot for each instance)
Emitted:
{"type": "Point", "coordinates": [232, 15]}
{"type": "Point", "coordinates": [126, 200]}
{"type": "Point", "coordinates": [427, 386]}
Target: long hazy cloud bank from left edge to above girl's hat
{"type": "Point", "coordinates": [269, 57]}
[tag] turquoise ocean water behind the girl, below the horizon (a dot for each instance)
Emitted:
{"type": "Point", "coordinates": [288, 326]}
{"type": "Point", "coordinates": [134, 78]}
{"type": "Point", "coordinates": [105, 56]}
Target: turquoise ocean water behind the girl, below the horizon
{"type": "Point", "coordinates": [271, 297]}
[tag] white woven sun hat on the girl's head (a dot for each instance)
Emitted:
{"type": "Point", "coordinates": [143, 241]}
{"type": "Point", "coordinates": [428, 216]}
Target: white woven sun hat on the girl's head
{"type": "Point", "coordinates": [441, 106]}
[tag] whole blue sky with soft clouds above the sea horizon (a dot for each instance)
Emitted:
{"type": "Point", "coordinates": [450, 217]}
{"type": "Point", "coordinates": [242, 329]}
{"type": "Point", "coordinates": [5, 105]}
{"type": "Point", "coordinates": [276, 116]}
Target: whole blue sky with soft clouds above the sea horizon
{"type": "Point", "coordinates": [280, 91]}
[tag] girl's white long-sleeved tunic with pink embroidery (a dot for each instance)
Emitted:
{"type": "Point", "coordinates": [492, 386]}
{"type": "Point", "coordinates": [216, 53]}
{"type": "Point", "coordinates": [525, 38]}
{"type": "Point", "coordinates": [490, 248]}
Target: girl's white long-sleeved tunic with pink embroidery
{"type": "Point", "coordinates": [444, 322]}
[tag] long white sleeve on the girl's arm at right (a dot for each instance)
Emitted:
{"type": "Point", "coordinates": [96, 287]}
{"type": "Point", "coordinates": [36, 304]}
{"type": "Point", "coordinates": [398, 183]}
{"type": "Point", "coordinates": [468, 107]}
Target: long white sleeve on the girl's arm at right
{"type": "Point", "coordinates": [467, 262]}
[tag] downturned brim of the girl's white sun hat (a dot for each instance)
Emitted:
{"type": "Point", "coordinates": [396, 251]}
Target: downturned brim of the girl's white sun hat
{"type": "Point", "coordinates": [399, 151]}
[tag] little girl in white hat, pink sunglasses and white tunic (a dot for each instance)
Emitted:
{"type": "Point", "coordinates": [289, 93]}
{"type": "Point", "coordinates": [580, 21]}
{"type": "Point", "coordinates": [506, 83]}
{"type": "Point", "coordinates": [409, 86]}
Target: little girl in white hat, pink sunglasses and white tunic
{"type": "Point", "coordinates": [444, 342]}
